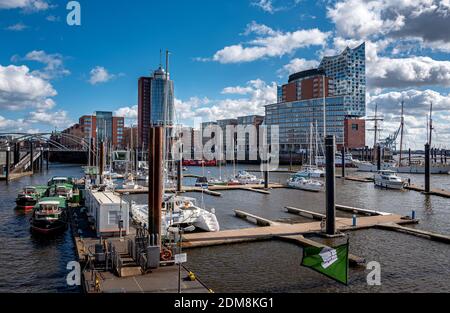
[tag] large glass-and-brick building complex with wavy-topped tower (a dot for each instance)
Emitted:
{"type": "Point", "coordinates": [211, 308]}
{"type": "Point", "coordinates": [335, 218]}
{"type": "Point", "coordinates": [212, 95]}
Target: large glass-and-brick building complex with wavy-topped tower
{"type": "Point", "coordinates": [331, 95]}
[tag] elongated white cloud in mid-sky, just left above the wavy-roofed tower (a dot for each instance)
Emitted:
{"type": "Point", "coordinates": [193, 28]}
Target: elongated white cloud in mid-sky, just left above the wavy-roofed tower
{"type": "Point", "coordinates": [269, 43]}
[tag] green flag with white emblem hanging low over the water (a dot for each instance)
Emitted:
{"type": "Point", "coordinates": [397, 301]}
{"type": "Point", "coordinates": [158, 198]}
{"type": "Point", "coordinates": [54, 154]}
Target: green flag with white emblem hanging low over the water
{"type": "Point", "coordinates": [332, 262]}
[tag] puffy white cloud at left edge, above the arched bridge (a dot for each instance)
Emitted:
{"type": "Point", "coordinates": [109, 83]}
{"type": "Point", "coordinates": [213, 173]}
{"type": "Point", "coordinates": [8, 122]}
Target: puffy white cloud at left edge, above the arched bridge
{"type": "Point", "coordinates": [20, 89]}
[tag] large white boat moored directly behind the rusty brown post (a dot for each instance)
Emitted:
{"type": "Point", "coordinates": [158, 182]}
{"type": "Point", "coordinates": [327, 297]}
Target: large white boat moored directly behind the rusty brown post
{"type": "Point", "coordinates": [179, 211]}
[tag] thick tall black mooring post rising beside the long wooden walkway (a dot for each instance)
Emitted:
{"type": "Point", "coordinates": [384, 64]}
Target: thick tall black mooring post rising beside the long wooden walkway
{"type": "Point", "coordinates": [330, 185]}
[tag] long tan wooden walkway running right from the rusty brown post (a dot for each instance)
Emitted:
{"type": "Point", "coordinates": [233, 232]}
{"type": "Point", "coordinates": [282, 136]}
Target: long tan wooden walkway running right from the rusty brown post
{"type": "Point", "coordinates": [269, 232]}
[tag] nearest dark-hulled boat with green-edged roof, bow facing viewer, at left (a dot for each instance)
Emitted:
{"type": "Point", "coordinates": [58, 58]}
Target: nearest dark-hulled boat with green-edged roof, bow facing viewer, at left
{"type": "Point", "coordinates": [49, 216]}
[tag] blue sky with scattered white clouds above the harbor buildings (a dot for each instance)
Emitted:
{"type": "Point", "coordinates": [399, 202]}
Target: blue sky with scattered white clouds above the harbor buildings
{"type": "Point", "coordinates": [227, 56]}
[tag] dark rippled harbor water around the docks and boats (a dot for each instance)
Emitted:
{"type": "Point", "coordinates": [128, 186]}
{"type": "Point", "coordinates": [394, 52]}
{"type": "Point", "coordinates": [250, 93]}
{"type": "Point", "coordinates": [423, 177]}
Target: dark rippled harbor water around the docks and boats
{"type": "Point", "coordinates": [408, 263]}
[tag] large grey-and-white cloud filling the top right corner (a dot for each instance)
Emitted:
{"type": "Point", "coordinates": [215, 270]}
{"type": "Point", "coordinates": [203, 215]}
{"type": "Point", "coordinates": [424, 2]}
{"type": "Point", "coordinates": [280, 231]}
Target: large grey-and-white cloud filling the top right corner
{"type": "Point", "coordinates": [420, 20]}
